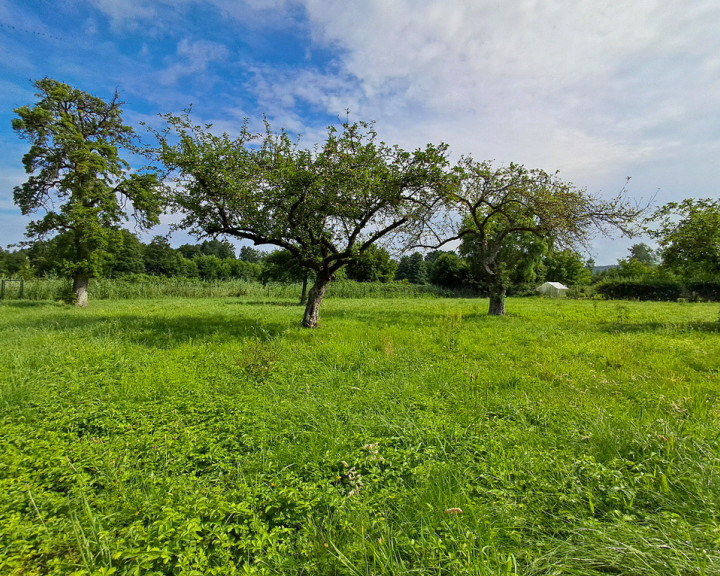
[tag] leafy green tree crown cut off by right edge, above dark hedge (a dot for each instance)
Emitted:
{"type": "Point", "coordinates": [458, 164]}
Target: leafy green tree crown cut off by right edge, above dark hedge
{"type": "Point", "coordinates": [689, 236]}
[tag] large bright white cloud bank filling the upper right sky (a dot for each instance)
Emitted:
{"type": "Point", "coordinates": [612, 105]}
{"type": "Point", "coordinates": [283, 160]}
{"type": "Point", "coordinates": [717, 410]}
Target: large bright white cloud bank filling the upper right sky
{"type": "Point", "coordinates": [578, 85]}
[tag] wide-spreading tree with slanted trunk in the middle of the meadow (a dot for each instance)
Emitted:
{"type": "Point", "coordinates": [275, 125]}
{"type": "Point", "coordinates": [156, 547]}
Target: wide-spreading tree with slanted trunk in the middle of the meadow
{"type": "Point", "coordinates": [326, 206]}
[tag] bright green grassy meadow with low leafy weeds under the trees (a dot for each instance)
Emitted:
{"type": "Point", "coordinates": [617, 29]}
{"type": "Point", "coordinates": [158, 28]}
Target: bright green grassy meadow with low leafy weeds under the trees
{"type": "Point", "coordinates": [215, 436]}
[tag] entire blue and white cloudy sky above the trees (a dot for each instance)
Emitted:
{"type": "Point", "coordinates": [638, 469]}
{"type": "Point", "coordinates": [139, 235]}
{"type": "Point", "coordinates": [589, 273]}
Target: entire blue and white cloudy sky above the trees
{"type": "Point", "coordinates": [597, 89]}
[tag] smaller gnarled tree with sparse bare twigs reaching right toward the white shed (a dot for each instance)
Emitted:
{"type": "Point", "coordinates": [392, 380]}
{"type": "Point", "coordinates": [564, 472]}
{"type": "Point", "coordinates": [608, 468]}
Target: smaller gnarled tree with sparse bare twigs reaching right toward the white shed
{"type": "Point", "coordinates": [497, 205]}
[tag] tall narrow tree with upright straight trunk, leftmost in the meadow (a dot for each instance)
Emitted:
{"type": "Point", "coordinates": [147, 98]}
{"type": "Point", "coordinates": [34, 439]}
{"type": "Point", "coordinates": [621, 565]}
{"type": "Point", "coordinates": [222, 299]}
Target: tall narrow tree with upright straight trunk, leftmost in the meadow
{"type": "Point", "coordinates": [78, 179]}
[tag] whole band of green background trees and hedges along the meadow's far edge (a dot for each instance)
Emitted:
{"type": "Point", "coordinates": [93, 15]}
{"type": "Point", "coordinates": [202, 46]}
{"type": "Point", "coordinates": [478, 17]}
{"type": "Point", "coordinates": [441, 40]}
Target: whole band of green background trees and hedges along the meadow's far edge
{"type": "Point", "coordinates": [687, 260]}
